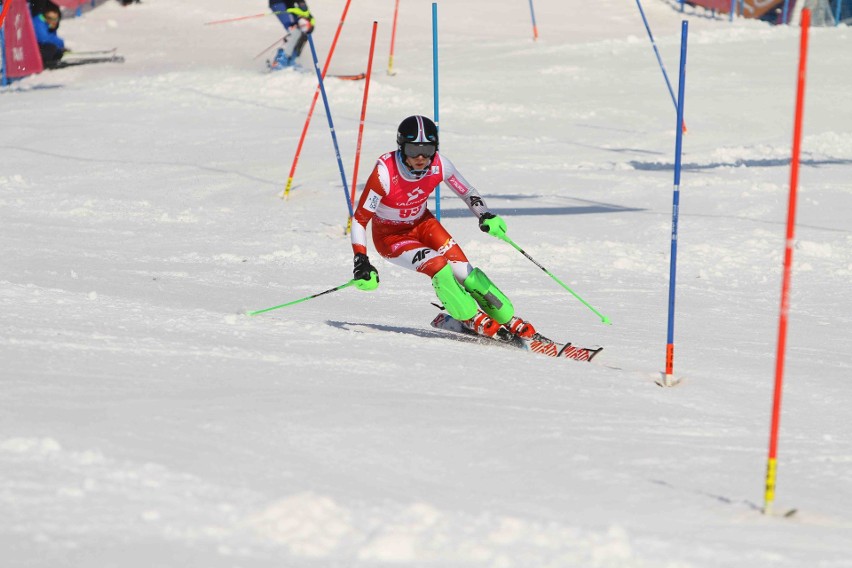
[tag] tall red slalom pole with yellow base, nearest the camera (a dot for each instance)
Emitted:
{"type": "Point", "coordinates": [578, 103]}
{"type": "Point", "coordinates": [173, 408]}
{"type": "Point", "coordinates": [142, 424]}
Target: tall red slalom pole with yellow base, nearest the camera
{"type": "Point", "coordinates": [772, 463]}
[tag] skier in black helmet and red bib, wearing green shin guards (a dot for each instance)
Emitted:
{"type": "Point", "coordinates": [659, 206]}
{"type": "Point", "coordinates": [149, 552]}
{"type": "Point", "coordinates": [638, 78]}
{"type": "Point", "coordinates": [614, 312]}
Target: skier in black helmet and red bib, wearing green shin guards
{"type": "Point", "coordinates": [407, 234]}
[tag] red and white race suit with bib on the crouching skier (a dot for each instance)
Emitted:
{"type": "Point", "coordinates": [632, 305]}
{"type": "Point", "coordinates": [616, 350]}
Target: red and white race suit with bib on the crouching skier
{"type": "Point", "coordinates": [404, 231]}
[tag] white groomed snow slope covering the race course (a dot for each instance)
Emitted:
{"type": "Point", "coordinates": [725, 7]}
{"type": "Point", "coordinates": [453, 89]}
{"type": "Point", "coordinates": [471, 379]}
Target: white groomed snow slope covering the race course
{"type": "Point", "coordinates": [145, 421]}
